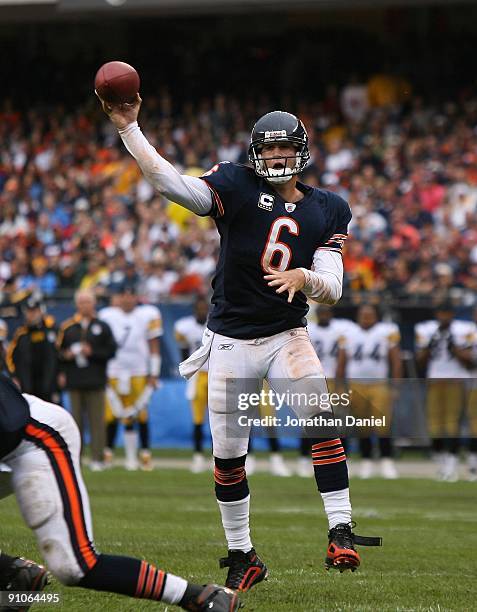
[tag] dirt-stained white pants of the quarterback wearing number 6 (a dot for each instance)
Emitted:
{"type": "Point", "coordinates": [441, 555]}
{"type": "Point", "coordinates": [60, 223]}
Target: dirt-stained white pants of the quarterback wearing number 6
{"type": "Point", "coordinates": [286, 360]}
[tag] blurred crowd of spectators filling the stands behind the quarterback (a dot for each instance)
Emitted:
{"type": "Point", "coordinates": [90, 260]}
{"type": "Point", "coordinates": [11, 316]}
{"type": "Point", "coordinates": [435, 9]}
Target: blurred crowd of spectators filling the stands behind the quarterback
{"type": "Point", "coordinates": [75, 211]}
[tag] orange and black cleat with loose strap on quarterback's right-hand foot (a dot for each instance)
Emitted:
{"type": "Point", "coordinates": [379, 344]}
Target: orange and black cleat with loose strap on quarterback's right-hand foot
{"type": "Point", "coordinates": [341, 553]}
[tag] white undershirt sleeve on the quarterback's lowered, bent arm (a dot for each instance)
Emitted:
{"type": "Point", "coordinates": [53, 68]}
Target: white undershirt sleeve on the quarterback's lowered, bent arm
{"type": "Point", "coordinates": [324, 282]}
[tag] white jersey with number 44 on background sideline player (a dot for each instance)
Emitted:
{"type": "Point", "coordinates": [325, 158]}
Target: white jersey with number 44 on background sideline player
{"type": "Point", "coordinates": [367, 350]}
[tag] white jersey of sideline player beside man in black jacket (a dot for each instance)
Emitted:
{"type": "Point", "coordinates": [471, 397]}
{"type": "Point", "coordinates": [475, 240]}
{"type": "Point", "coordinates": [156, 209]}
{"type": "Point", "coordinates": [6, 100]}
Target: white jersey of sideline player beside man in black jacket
{"type": "Point", "coordinates": [132, 330]}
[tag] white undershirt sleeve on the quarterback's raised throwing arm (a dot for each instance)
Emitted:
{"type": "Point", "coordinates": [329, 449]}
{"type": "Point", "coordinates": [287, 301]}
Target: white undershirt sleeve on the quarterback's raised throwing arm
{"type": "Point", "coordinates": [188, 191]}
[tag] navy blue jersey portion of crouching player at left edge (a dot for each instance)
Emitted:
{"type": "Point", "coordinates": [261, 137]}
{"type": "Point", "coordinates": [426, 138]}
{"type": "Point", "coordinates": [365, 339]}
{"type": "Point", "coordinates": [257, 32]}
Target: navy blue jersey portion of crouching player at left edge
{"type": "Point", "coordinates": [14, 415]}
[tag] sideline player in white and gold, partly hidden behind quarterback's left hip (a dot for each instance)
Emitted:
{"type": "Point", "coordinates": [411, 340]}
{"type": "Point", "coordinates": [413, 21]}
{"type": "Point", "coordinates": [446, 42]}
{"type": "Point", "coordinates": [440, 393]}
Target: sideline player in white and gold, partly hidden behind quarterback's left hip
{"type": "Point", "coordinates": [188, 333]}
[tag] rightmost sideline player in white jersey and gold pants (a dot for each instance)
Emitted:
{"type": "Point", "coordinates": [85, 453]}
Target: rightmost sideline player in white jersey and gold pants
{"type": "Point", "coordinates": [444, 347]}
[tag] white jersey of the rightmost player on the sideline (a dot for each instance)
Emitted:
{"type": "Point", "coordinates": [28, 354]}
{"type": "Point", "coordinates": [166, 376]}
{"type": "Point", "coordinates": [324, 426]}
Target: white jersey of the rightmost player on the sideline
{"type": "Point", "coordinates": [442, 364]}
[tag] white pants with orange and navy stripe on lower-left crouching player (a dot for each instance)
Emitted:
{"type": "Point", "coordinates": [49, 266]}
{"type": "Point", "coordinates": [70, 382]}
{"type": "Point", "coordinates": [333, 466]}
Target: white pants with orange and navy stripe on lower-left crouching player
{"type": "Point", "coordinates": [54, 502]}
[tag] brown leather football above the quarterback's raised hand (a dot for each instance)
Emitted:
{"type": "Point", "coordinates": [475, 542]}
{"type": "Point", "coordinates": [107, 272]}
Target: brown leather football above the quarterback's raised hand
{"type": "Point", "coordinates": [117, 82]}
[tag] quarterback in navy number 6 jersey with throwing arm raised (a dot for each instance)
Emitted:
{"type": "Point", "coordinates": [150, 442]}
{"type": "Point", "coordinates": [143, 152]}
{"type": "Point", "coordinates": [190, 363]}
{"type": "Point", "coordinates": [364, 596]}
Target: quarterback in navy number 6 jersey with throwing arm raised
{"type": "Point", "coordinates": [281, 243]}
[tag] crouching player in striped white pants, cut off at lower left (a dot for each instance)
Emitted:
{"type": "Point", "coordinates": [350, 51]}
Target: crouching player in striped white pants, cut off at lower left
{"type": "Point", "coordinates": [40, 442]}
